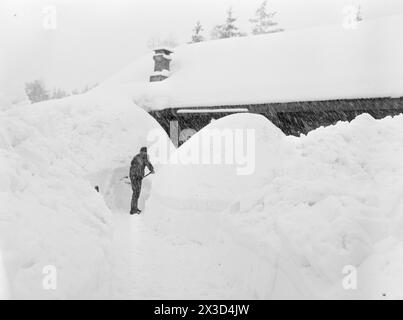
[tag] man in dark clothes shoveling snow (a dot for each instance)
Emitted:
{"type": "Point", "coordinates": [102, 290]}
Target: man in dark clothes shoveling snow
{"type": "Point", "coordinates": [138, 164]}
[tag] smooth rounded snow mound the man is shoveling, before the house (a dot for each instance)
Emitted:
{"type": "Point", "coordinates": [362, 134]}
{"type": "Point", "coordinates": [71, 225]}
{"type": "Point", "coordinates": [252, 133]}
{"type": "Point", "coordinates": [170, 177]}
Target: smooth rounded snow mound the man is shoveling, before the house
{"type": "Point", "coordinates": [225, 173]}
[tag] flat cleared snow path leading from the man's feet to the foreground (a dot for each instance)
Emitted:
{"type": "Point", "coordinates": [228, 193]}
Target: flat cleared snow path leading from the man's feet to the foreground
{"type": "Point", "coordinates": [147, 265]}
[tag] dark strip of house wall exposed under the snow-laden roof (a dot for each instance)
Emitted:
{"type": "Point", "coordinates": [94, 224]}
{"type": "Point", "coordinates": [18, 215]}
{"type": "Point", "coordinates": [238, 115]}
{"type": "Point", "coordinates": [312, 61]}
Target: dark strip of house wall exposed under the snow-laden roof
{"type": "Point", "coordinates": [293, 118]}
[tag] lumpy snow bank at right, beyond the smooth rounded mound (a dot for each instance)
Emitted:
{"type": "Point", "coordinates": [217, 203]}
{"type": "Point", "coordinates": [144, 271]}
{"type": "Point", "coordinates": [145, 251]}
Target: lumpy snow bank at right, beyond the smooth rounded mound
{"type": "Point", "coordinates": [335, 203]}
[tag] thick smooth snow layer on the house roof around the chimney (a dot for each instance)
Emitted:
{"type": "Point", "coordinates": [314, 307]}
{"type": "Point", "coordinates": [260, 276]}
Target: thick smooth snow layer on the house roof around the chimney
{"type": "Point", "coordinates": [321, 63]}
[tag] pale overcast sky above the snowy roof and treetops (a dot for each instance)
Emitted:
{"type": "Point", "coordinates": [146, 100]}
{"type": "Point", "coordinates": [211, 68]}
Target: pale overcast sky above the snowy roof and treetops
{"type": "Point", "coordinates": [94, 39]}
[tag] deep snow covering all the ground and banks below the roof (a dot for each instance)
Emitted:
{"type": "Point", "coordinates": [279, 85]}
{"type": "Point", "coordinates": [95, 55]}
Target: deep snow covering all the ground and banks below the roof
{"type": "Point", "coordinates": [313, 205]}
